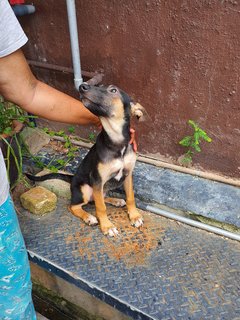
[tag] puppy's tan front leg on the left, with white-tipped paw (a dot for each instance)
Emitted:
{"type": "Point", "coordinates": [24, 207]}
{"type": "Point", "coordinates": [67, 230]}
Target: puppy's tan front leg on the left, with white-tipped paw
{"type": "Point", "coordinates": [105, 224]}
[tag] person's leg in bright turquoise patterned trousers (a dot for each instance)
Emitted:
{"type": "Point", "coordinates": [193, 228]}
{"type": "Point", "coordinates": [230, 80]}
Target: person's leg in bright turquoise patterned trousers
{"type": "Point", "coordinates": [15, 282]}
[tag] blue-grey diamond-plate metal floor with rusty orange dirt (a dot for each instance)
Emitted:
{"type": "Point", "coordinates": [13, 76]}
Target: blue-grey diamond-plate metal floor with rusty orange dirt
{"type": "Point", "coordinates": [165, 270]}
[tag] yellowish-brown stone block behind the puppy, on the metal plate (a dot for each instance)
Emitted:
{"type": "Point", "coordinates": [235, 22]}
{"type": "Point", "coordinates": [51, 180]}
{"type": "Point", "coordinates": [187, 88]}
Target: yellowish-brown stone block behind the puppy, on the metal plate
{"type": "Point", "coordinates": [39, 200]}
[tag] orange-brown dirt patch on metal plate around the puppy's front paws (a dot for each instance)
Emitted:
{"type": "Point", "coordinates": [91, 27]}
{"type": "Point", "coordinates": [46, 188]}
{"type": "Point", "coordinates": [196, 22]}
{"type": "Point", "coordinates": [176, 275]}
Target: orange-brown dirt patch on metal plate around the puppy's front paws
{"type": "Point", "coordinates": [133, 246]}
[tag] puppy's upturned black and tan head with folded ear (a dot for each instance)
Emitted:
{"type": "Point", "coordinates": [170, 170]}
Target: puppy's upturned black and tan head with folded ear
{"type": "Point", "coordinates": [110, 102]}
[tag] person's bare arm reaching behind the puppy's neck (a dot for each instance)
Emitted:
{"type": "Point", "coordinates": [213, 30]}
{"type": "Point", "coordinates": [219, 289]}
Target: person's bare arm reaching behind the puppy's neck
{"type": "Point", "coordinates": [18, 84]}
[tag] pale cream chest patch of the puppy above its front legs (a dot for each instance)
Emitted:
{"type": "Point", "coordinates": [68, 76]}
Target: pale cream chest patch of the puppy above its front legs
{"type": "Point", "coordinates": [116, 168]}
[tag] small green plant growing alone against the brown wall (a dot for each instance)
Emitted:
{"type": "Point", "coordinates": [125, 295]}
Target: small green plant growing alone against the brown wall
{"type": "Point", "coordinates": [193, 142]}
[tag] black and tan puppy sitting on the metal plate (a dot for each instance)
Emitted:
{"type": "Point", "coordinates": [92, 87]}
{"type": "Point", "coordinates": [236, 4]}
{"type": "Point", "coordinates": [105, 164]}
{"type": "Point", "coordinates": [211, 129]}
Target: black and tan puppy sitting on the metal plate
{"type": "Point", "coordinates": [110, 162]}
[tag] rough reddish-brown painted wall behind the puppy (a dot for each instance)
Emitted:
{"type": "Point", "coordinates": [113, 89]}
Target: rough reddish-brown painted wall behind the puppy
{"type": "Point", "coordinates": [180, 59]}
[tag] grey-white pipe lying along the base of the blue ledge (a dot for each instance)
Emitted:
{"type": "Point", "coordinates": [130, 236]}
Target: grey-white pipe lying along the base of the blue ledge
{"type": "Point", "coordinates": [191, 222]}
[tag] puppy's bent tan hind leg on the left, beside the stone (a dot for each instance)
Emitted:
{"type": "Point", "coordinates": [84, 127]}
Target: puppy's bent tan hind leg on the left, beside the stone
{"type": "Point", "coordinates": [80, 197]}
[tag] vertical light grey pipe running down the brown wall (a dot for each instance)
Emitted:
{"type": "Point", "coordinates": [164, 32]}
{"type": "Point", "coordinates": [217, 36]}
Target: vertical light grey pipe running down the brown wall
{"type": "Point", "coordinates": [72, 22]}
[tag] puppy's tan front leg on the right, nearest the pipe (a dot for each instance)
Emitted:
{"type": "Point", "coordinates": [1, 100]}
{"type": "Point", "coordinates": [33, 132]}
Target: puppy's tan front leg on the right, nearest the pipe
{"type": "Point", "coordinates": [134, 216]}
